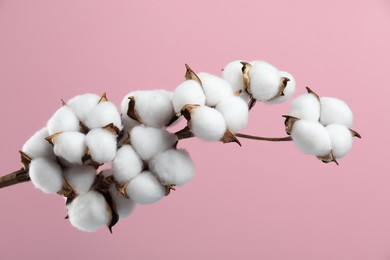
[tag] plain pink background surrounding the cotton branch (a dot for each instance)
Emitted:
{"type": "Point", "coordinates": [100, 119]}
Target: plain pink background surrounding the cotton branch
{"type": "Point", "coordinates": [260, 201]}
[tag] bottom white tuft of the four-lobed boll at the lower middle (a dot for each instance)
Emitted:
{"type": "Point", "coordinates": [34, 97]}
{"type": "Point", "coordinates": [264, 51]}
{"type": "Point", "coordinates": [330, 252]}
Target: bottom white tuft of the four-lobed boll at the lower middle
{"type": "Point", "coordinates": [145, 189]}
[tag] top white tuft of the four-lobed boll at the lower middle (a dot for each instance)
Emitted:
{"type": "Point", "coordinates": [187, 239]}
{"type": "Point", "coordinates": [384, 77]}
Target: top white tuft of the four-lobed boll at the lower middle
{"type": "Point", "coordinates": [148, 141]}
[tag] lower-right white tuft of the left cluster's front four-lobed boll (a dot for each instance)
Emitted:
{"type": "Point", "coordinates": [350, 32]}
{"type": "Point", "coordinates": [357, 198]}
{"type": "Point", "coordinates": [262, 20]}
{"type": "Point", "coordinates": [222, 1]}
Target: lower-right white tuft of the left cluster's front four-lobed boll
{"type": "Point", "coordinates": [101, 145]}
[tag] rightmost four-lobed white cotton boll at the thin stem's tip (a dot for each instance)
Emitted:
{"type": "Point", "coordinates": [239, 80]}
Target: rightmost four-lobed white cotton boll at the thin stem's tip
{"type": "Point", "coordinates": [321, 126]}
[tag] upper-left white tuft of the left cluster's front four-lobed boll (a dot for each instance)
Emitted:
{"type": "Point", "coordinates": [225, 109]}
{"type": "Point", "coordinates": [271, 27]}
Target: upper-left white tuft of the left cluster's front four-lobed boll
{"type": "Point", "coordinates": [63, 120]}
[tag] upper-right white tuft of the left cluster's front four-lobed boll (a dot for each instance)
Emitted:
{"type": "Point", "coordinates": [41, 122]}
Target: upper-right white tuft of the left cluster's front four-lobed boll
{"type": "Point", "coordinates": [102, 115]}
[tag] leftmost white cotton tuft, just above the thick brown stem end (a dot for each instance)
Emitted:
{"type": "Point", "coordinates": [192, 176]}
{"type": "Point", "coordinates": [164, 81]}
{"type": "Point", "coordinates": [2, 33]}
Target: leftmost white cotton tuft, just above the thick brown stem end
{"type": "Point", "coordinates": [37, 146]}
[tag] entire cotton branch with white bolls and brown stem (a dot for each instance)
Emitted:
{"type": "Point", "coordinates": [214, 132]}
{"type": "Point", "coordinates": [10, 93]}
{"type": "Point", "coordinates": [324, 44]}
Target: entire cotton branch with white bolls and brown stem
{"type": "Point", "coordinates": [139, 154]}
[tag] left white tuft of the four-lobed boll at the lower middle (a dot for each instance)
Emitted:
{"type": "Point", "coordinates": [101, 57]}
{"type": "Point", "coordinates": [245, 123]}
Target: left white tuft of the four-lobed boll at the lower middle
{"type": "Point", "coordinates": [127, 164]}
